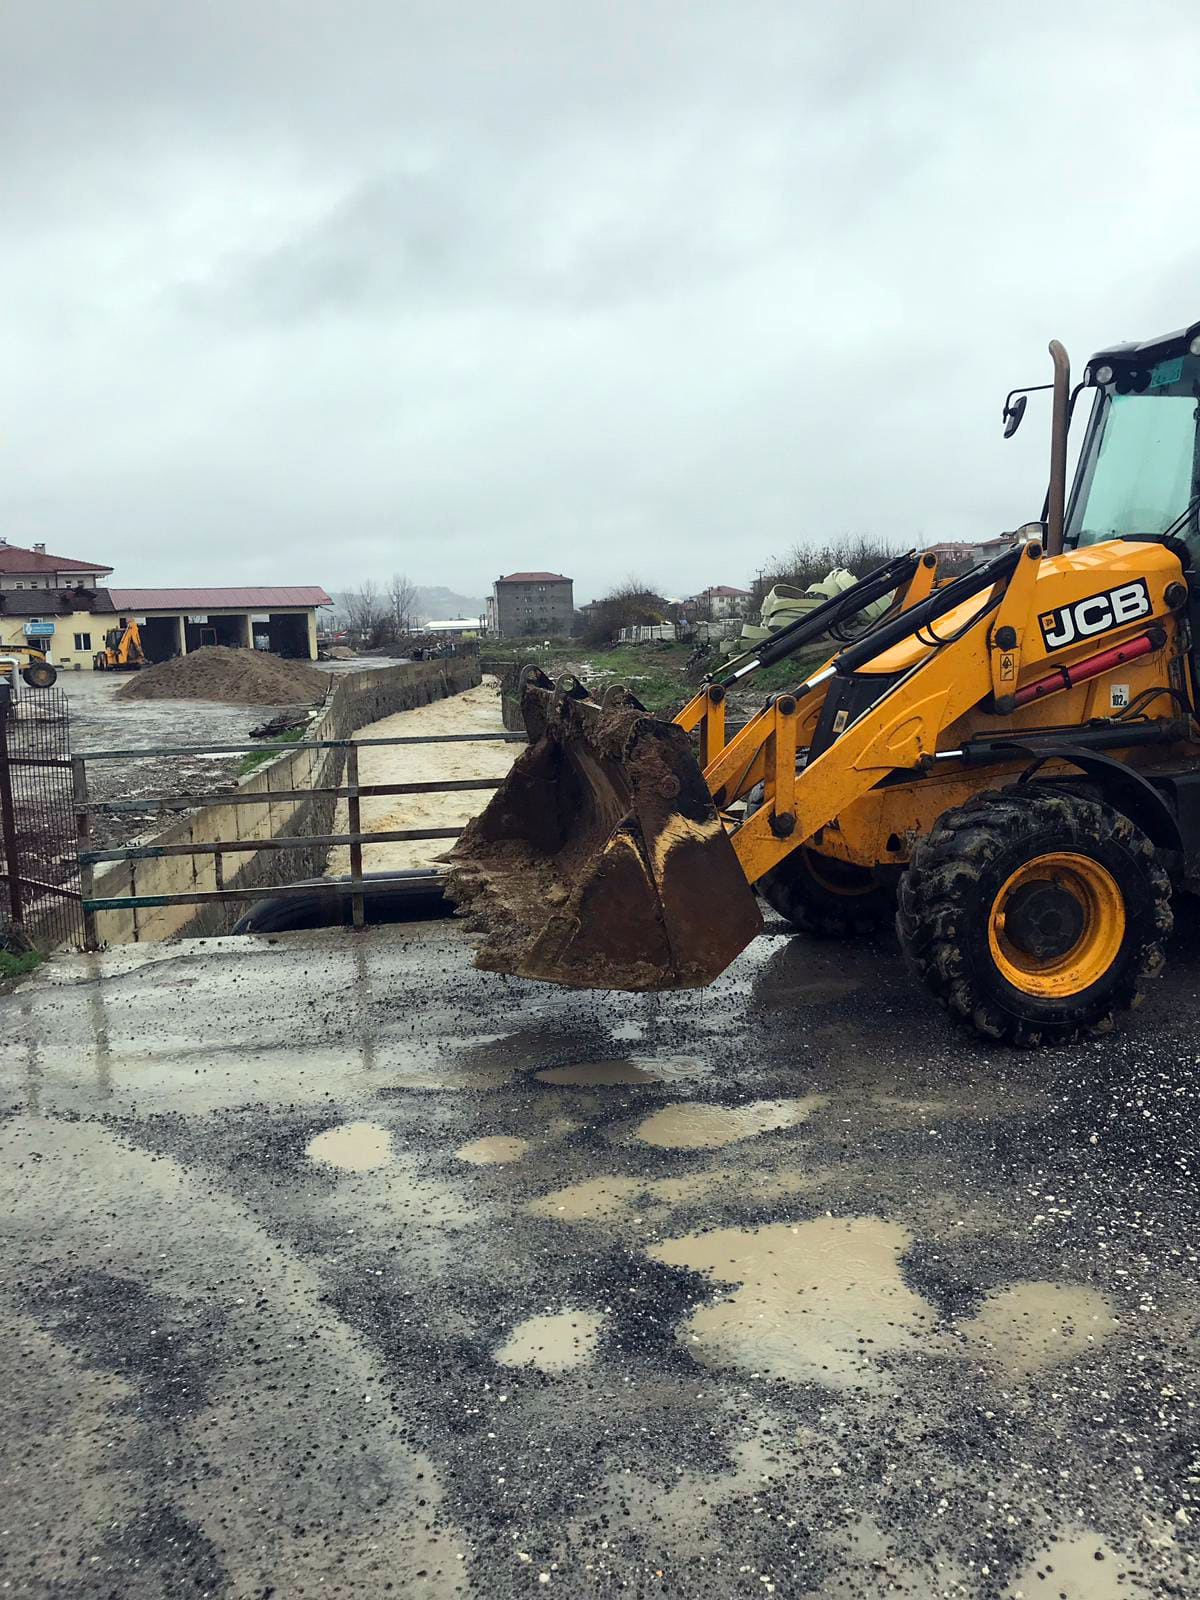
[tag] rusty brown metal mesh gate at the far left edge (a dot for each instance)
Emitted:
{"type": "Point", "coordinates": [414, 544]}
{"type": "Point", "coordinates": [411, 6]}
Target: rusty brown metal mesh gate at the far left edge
{"type": "Point", "coordinates": [39, 865]}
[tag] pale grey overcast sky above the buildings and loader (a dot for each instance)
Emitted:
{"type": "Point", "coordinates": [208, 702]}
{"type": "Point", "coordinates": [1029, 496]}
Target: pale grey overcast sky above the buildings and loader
{"type": "Point", "coordinates": [314, 292]}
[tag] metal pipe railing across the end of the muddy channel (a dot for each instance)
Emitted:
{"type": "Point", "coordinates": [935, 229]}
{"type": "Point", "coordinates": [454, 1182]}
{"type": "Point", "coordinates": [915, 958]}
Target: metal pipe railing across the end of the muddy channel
{"type": "Point", "coordinates": [351, 791]}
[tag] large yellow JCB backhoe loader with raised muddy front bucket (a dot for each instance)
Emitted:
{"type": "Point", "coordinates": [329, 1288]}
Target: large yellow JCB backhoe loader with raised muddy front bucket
{"type": "Point", "coordinates": [1009, 762]}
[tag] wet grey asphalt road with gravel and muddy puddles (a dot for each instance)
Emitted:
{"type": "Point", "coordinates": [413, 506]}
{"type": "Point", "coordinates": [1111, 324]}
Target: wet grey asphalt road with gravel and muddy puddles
{"type": "Point", "coordinates": [332, 1266]}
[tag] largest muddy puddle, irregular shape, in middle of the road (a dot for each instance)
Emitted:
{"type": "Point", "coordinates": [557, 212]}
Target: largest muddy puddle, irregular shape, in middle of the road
{"type": "Point", "coordinates": [815, 1302]}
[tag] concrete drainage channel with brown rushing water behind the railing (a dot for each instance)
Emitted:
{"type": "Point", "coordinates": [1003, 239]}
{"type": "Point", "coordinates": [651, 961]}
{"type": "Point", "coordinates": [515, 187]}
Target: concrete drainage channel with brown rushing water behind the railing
{"type": "Point", "coordinates": [276, 830]}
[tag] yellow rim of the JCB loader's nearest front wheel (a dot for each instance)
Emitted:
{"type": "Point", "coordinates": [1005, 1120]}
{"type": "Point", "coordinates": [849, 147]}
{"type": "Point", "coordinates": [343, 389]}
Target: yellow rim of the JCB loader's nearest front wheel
{"type": "Point", "coordinates": [1057, 926]}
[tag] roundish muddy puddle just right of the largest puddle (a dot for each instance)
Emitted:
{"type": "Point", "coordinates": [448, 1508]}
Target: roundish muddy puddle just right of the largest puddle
{"type": "Point", "coordinates": [1030, 1327]}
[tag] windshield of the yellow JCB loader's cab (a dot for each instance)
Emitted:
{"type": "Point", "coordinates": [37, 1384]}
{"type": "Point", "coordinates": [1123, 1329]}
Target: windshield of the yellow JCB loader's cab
{"type": "Point", "coordinates": [1140, 466]}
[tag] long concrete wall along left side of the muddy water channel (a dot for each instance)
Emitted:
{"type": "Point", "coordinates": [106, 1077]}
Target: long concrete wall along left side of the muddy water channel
{"type": "Point", "coordinates": [358, 700]}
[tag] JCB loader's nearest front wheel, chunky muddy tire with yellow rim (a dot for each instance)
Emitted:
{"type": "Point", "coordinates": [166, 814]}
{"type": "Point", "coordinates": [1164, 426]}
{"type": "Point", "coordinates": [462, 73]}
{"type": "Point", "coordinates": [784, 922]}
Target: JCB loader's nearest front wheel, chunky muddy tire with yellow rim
{"type": "Point", "coordinates": [1034, 916]}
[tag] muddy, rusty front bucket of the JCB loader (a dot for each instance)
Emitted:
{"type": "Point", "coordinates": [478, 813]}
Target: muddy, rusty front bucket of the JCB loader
{"type": "Point", "coordinates": [602, 863]}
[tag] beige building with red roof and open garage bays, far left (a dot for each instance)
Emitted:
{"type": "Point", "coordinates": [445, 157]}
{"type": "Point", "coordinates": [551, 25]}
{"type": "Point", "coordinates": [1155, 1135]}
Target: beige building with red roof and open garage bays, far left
{"type": "Point", "coordinates": [57, 604]}
